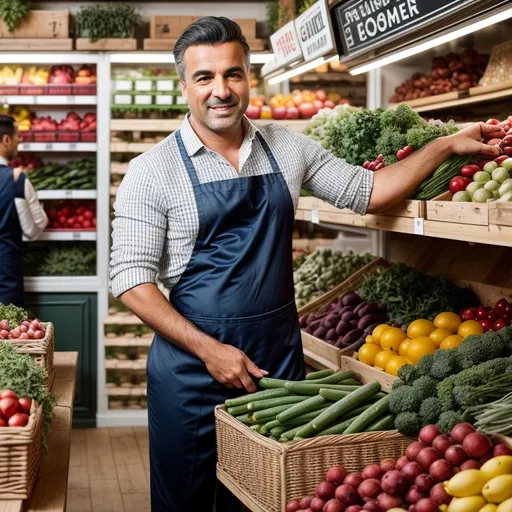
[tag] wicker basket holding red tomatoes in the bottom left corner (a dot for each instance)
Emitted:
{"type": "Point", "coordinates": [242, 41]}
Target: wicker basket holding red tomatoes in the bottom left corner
{"type": "Point", "coordinates": [20, 452]}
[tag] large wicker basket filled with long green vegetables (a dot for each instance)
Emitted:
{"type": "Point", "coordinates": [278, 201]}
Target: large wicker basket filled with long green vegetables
{"type": "Point", "coordinates": [265, 474]}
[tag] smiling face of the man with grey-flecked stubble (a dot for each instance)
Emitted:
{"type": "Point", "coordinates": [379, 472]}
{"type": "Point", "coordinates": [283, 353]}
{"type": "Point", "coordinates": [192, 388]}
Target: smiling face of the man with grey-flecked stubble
{"type": "Point", "coordinates": [216, 84]}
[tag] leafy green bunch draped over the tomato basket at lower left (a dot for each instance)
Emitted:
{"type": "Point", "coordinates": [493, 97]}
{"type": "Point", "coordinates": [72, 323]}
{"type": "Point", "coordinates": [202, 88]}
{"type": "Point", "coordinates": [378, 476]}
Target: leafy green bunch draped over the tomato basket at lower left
{"type": "Point", "coordinates": [20, 373]}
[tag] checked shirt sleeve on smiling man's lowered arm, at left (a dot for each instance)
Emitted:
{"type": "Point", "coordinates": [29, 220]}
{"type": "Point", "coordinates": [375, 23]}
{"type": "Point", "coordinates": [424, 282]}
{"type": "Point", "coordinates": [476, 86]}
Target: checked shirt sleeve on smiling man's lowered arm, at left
{"type": "Point", "coordinates": [138, 230]}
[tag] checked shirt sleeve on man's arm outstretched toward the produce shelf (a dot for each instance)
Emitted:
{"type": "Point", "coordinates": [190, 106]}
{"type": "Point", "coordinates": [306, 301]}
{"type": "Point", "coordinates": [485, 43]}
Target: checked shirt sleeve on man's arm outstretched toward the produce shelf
{"type": "Point", "coordinates": [332, 179]}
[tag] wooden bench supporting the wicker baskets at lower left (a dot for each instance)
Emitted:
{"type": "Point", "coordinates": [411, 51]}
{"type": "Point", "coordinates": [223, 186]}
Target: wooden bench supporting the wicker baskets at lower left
{"type": "Point", "coordinates": [50, 490]}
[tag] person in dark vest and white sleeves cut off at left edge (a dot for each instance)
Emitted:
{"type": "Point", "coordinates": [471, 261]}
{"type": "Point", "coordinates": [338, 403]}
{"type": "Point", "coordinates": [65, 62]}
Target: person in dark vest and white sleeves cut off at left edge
{"type": "Point", "coordinates": [20, 214]}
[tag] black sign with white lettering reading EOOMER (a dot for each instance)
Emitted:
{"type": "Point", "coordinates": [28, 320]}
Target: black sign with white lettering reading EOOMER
{"type": "Point", "coordinates": [363, 24]}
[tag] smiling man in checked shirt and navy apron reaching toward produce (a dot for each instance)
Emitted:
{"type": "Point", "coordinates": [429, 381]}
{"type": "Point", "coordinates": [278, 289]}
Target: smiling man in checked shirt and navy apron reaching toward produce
{"type": "Point", "coordinates": [211, 210]}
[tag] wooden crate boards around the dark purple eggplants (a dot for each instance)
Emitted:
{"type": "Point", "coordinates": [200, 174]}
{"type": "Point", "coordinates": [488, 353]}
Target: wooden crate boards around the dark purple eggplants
{"type": "Point", "coordinates": [320, 353]}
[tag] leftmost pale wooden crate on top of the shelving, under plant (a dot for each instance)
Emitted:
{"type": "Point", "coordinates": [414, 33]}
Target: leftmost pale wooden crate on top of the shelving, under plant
{"type": "Point", "coordinates": [40, 25]}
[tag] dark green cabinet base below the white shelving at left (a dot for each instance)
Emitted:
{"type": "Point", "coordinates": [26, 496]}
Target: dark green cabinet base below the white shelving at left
{"type": "Point", "coordinates": [75, 316]}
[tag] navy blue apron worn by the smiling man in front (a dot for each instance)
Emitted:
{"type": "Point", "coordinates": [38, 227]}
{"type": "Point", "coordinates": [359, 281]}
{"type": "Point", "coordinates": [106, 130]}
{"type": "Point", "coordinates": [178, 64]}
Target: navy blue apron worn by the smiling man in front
{"type": "Point", "coordinates": [238, 288]}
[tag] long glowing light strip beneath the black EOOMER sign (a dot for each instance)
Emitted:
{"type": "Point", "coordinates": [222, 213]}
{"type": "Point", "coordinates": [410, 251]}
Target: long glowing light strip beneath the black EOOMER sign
{"type": "Point", "coordinates": [432, 43]}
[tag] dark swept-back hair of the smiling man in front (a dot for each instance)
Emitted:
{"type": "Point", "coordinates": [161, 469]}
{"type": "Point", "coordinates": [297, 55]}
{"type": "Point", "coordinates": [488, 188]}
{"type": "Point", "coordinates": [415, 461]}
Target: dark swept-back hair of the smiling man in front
{"type": "Point", "coordinates": [208, 30]}
